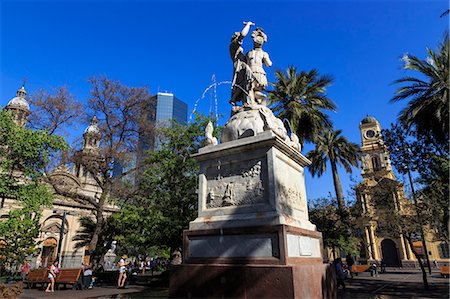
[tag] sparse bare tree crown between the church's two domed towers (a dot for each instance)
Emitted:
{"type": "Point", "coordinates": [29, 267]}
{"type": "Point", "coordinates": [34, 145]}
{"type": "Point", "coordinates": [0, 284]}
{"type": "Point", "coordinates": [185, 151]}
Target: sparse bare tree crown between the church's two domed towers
{"type": "Point", "coordinates": [54, 111]}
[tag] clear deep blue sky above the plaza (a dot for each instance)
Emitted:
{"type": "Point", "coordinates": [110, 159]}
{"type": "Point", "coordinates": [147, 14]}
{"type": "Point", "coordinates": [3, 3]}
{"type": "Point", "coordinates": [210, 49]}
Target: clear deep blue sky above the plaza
{"type": "Point", "coordinates": [177, 46]}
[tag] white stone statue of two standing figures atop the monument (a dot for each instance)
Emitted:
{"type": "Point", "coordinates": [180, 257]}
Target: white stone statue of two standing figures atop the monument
{"type": "Point", "coordinates": [249, 77]}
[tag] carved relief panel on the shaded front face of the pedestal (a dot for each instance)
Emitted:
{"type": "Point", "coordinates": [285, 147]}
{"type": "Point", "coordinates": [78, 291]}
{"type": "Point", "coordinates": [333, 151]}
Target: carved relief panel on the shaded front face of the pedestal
{"type": "Point", "coordinates": [236, 184]}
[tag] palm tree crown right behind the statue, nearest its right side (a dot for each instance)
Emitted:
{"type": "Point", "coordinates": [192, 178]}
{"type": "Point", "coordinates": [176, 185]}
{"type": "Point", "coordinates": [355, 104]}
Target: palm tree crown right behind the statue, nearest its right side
{"type": "Point", "coordinates": [301, 98]}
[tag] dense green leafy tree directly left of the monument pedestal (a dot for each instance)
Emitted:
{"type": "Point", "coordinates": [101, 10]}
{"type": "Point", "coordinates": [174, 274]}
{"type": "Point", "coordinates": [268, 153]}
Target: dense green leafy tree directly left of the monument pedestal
{"type": "Point", "coordinates": [167, 200]}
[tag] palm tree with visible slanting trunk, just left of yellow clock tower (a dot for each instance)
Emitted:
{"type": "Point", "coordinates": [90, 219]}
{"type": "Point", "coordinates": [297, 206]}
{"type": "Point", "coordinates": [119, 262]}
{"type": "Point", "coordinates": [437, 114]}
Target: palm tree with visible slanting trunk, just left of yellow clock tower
{"type": "Point", "coordinates": [332, 146]}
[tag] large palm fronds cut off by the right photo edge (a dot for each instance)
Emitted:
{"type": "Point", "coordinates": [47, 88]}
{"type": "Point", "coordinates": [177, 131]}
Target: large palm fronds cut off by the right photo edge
{"type": "Point", "coordinates": [428, 108]}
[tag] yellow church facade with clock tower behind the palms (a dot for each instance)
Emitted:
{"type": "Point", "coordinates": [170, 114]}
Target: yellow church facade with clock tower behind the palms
{"type": "Point", "coordinates": [378, 179]}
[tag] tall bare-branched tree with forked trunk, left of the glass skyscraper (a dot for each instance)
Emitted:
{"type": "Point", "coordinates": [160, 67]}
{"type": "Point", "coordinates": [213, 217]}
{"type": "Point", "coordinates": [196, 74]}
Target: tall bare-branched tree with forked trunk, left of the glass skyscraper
{"type": "Point", "coordinates": [117, 108]}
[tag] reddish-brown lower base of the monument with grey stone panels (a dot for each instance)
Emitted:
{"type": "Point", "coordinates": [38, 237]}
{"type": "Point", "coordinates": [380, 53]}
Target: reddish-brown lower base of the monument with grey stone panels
{"type": "Point", "coordinates": [255, 262]}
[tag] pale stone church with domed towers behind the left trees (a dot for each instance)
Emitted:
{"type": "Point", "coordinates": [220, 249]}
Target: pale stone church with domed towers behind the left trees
{"type": "Point", "coordinates": [60, 223]}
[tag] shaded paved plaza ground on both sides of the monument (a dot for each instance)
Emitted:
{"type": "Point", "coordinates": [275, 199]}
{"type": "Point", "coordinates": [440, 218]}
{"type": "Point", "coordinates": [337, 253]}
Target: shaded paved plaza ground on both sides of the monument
{"type": "Point", "coordinates": [396, 283]}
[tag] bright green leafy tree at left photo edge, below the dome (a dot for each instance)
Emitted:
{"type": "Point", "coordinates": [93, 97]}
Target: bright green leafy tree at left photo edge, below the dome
{"type": "Point", "coordinates": [23, 155]}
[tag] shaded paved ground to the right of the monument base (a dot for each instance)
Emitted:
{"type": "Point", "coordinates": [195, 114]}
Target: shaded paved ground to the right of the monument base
{"type": "Point", "coordinates": [400, 283]}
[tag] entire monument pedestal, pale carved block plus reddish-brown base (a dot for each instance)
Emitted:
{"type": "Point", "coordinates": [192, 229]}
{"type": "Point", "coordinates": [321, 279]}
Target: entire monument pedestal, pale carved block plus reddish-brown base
{"type": "Point", "coordinates": [252, 237]}
